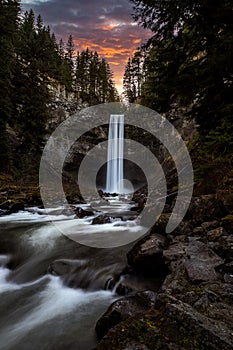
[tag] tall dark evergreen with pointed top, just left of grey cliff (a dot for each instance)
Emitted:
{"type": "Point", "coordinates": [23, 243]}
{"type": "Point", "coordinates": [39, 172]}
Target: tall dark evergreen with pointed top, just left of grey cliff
{"type": "Point", "coordinates": [31, 81]}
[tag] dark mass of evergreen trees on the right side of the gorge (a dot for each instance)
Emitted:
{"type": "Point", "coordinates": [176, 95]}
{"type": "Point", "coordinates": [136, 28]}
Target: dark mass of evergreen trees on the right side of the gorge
{"type": "Point", "coordinates": [188, 62]}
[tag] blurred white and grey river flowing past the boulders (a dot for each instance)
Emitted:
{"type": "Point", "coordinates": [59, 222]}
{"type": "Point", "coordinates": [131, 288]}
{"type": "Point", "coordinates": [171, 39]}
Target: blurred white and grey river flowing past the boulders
{"type": "Point", "coordinates": [38, 309]}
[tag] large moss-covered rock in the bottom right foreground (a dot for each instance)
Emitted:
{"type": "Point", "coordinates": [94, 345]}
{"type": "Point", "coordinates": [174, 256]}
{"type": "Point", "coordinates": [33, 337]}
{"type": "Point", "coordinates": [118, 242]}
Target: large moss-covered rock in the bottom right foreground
{"type": "Point", "coordinates": [168, 324]}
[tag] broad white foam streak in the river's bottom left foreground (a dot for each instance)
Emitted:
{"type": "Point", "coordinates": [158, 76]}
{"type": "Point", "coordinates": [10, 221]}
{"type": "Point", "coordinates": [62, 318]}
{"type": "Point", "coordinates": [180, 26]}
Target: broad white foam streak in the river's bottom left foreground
{"type": "Point", "coordinates": [54, 300]}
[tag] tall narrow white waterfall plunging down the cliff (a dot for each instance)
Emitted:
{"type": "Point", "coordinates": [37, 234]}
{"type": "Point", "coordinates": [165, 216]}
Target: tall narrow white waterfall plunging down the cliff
{"type": "Point", "coordinates": [115, 173]}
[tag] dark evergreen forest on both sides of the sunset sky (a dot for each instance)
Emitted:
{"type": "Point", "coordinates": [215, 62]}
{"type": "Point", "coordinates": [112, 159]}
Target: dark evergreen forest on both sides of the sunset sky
{"type": "Point", "coordinates": [186, 65]}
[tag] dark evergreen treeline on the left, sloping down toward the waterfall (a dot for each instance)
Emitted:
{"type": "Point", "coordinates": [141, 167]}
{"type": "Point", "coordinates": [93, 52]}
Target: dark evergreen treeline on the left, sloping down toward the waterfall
{"type": "Point", "coordinates": [31, 61]}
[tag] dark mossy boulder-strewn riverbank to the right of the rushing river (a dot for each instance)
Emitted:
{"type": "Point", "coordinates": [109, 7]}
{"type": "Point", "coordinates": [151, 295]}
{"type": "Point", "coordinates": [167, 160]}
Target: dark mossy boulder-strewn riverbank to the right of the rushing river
{"type": "Point", "coordinates": [193, 307]}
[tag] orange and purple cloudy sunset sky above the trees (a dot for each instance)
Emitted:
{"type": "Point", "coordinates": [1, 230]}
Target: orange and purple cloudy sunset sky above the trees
{"type": "Point", "coordinates": [105, 26]}
